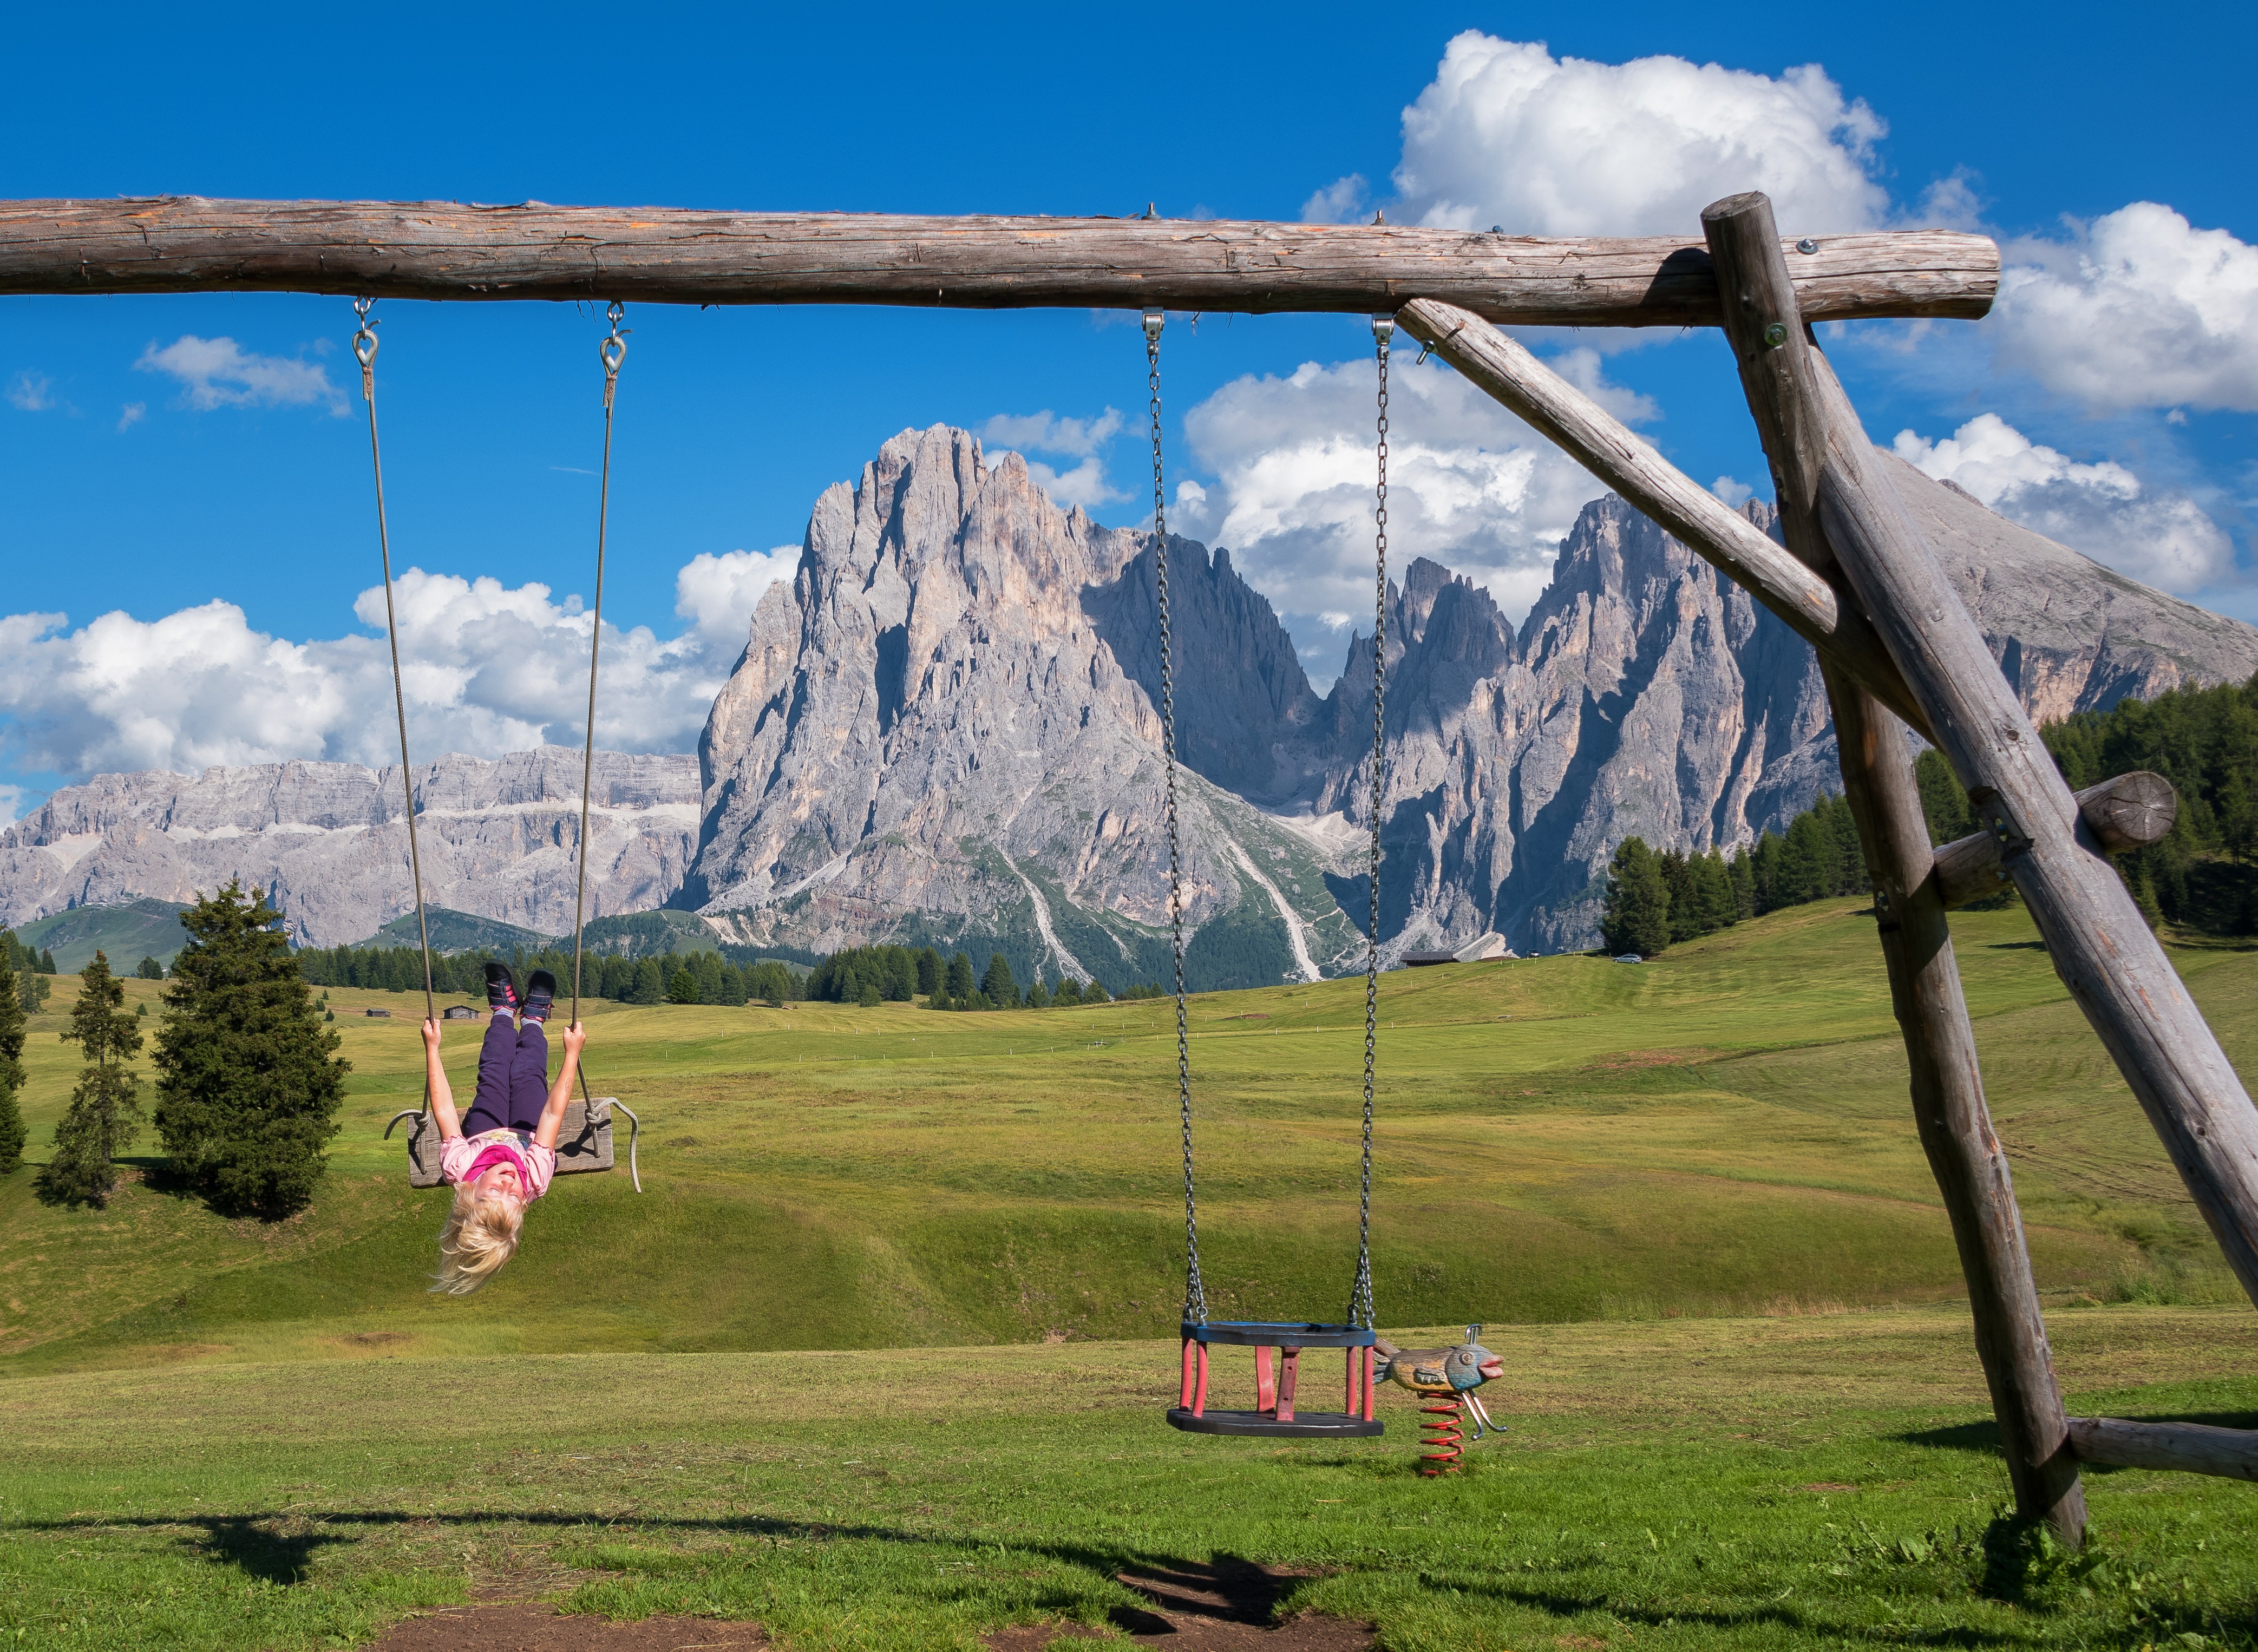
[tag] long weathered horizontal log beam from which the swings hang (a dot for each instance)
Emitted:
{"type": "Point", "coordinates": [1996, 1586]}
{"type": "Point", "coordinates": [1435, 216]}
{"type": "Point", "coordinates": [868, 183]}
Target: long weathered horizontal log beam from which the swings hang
{"type": "Point", "coordinates": [679, 256]}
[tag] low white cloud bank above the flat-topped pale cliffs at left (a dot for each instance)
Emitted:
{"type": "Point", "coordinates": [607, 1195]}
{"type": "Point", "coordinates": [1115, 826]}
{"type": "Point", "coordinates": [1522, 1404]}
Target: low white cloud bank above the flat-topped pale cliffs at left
{"type": "Point", "coordinates": [487, 669]}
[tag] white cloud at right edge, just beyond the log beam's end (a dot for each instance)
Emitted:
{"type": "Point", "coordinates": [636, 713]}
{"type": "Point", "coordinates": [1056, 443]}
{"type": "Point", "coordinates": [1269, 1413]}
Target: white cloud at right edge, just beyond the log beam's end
{"type": "Point", "coordinates": [2137, 308]}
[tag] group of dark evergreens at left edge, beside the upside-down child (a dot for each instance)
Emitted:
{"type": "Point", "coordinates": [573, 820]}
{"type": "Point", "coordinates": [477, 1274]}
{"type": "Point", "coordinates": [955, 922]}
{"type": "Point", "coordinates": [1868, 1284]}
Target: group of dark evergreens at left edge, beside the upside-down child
{"type": "Point", "coordinates": [247, 1078]}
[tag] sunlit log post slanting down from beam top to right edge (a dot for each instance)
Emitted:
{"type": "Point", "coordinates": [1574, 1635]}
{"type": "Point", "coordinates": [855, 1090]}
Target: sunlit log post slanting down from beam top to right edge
{"type": "Point", "coordinates": [2097, 935]}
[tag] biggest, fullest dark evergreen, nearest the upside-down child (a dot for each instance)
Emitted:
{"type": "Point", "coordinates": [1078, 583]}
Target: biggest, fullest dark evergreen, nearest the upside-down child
{"type": "Point", "coordinates": [250, 1080]}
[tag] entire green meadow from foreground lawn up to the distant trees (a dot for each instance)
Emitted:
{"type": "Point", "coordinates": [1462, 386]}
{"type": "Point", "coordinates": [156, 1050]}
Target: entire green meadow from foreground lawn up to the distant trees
{"type": "Point", "coordinates": [1686, 1197]}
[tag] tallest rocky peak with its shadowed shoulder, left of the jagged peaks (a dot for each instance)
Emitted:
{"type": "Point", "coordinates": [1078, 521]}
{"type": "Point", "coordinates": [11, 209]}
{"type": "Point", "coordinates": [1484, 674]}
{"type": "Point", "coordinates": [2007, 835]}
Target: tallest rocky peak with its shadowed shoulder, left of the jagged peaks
{"type": "Point", "coordinates": [934, 739]}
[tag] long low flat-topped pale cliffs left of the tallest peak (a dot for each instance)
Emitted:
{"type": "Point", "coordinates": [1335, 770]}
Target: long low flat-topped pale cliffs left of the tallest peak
{"type": "Point", "coordinates": [331, 841]}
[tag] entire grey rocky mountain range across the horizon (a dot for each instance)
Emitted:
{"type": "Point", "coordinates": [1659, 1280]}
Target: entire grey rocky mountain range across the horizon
{"type": "Point", "coordinates": [945, 730]}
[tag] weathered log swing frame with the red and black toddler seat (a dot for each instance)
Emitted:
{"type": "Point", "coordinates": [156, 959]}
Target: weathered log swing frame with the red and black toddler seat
{"type": "Point", "coordinates": [1859, 581]}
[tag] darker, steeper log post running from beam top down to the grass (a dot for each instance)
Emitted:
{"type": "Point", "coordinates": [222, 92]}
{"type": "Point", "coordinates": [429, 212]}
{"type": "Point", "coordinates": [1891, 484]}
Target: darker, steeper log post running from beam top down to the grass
{"type": "Point", "coordinates": [1916, 940]}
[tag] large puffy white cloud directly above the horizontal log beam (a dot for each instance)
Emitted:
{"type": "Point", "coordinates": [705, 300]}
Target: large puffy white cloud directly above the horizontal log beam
{"type": "Point", "coordinates": [1539, 146]}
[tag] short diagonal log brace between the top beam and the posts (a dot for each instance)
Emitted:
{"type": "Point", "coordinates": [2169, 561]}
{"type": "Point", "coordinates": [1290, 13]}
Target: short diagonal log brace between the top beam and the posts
{"type": "Point", "coordinates": [1704, 522]}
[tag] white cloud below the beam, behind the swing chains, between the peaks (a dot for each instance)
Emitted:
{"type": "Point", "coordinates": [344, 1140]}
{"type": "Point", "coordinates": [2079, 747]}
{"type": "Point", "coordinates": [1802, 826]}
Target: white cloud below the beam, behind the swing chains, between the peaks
{"type": "Point", "coordinates": [1293, 498]}
